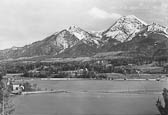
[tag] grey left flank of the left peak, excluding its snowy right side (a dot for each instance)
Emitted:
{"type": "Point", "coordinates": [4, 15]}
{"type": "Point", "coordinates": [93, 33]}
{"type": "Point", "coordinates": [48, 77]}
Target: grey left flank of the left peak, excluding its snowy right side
{"type": "Point", "coordinates": [49, 46]}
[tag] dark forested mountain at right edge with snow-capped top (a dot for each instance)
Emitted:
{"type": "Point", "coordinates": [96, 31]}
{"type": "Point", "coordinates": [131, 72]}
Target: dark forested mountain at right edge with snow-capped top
{"type": "Point", "coordinates": [151, 42]}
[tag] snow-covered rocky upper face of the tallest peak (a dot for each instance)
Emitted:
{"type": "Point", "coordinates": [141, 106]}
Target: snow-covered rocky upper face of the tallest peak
{"type": "Point", "coordinates": [125, 28]}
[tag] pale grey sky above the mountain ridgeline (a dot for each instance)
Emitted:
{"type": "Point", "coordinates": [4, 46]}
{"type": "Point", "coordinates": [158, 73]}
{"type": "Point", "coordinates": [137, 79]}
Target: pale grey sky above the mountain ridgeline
{"type": "Point", "coordinates": [25, 21]}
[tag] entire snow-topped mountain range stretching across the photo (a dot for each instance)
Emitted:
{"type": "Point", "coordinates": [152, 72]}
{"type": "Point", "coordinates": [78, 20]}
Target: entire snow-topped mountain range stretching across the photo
{"type": "Point", "coordinates": [128, 33]}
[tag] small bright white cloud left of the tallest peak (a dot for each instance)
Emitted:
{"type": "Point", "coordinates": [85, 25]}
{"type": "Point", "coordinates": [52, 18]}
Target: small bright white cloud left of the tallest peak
{"type": "Point", "coordinates": [101, 14]}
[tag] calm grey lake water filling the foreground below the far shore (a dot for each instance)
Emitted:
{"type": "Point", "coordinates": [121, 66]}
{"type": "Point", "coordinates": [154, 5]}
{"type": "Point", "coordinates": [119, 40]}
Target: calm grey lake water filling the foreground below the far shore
{"type": "Point", "coordinates": [93, 98]}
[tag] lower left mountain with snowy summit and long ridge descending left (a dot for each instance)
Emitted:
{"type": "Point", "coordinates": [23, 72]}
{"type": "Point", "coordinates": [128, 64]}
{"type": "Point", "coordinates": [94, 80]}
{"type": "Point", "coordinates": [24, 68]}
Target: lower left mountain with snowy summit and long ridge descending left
{"type": "Point", "coordinates": [54, 44]}
